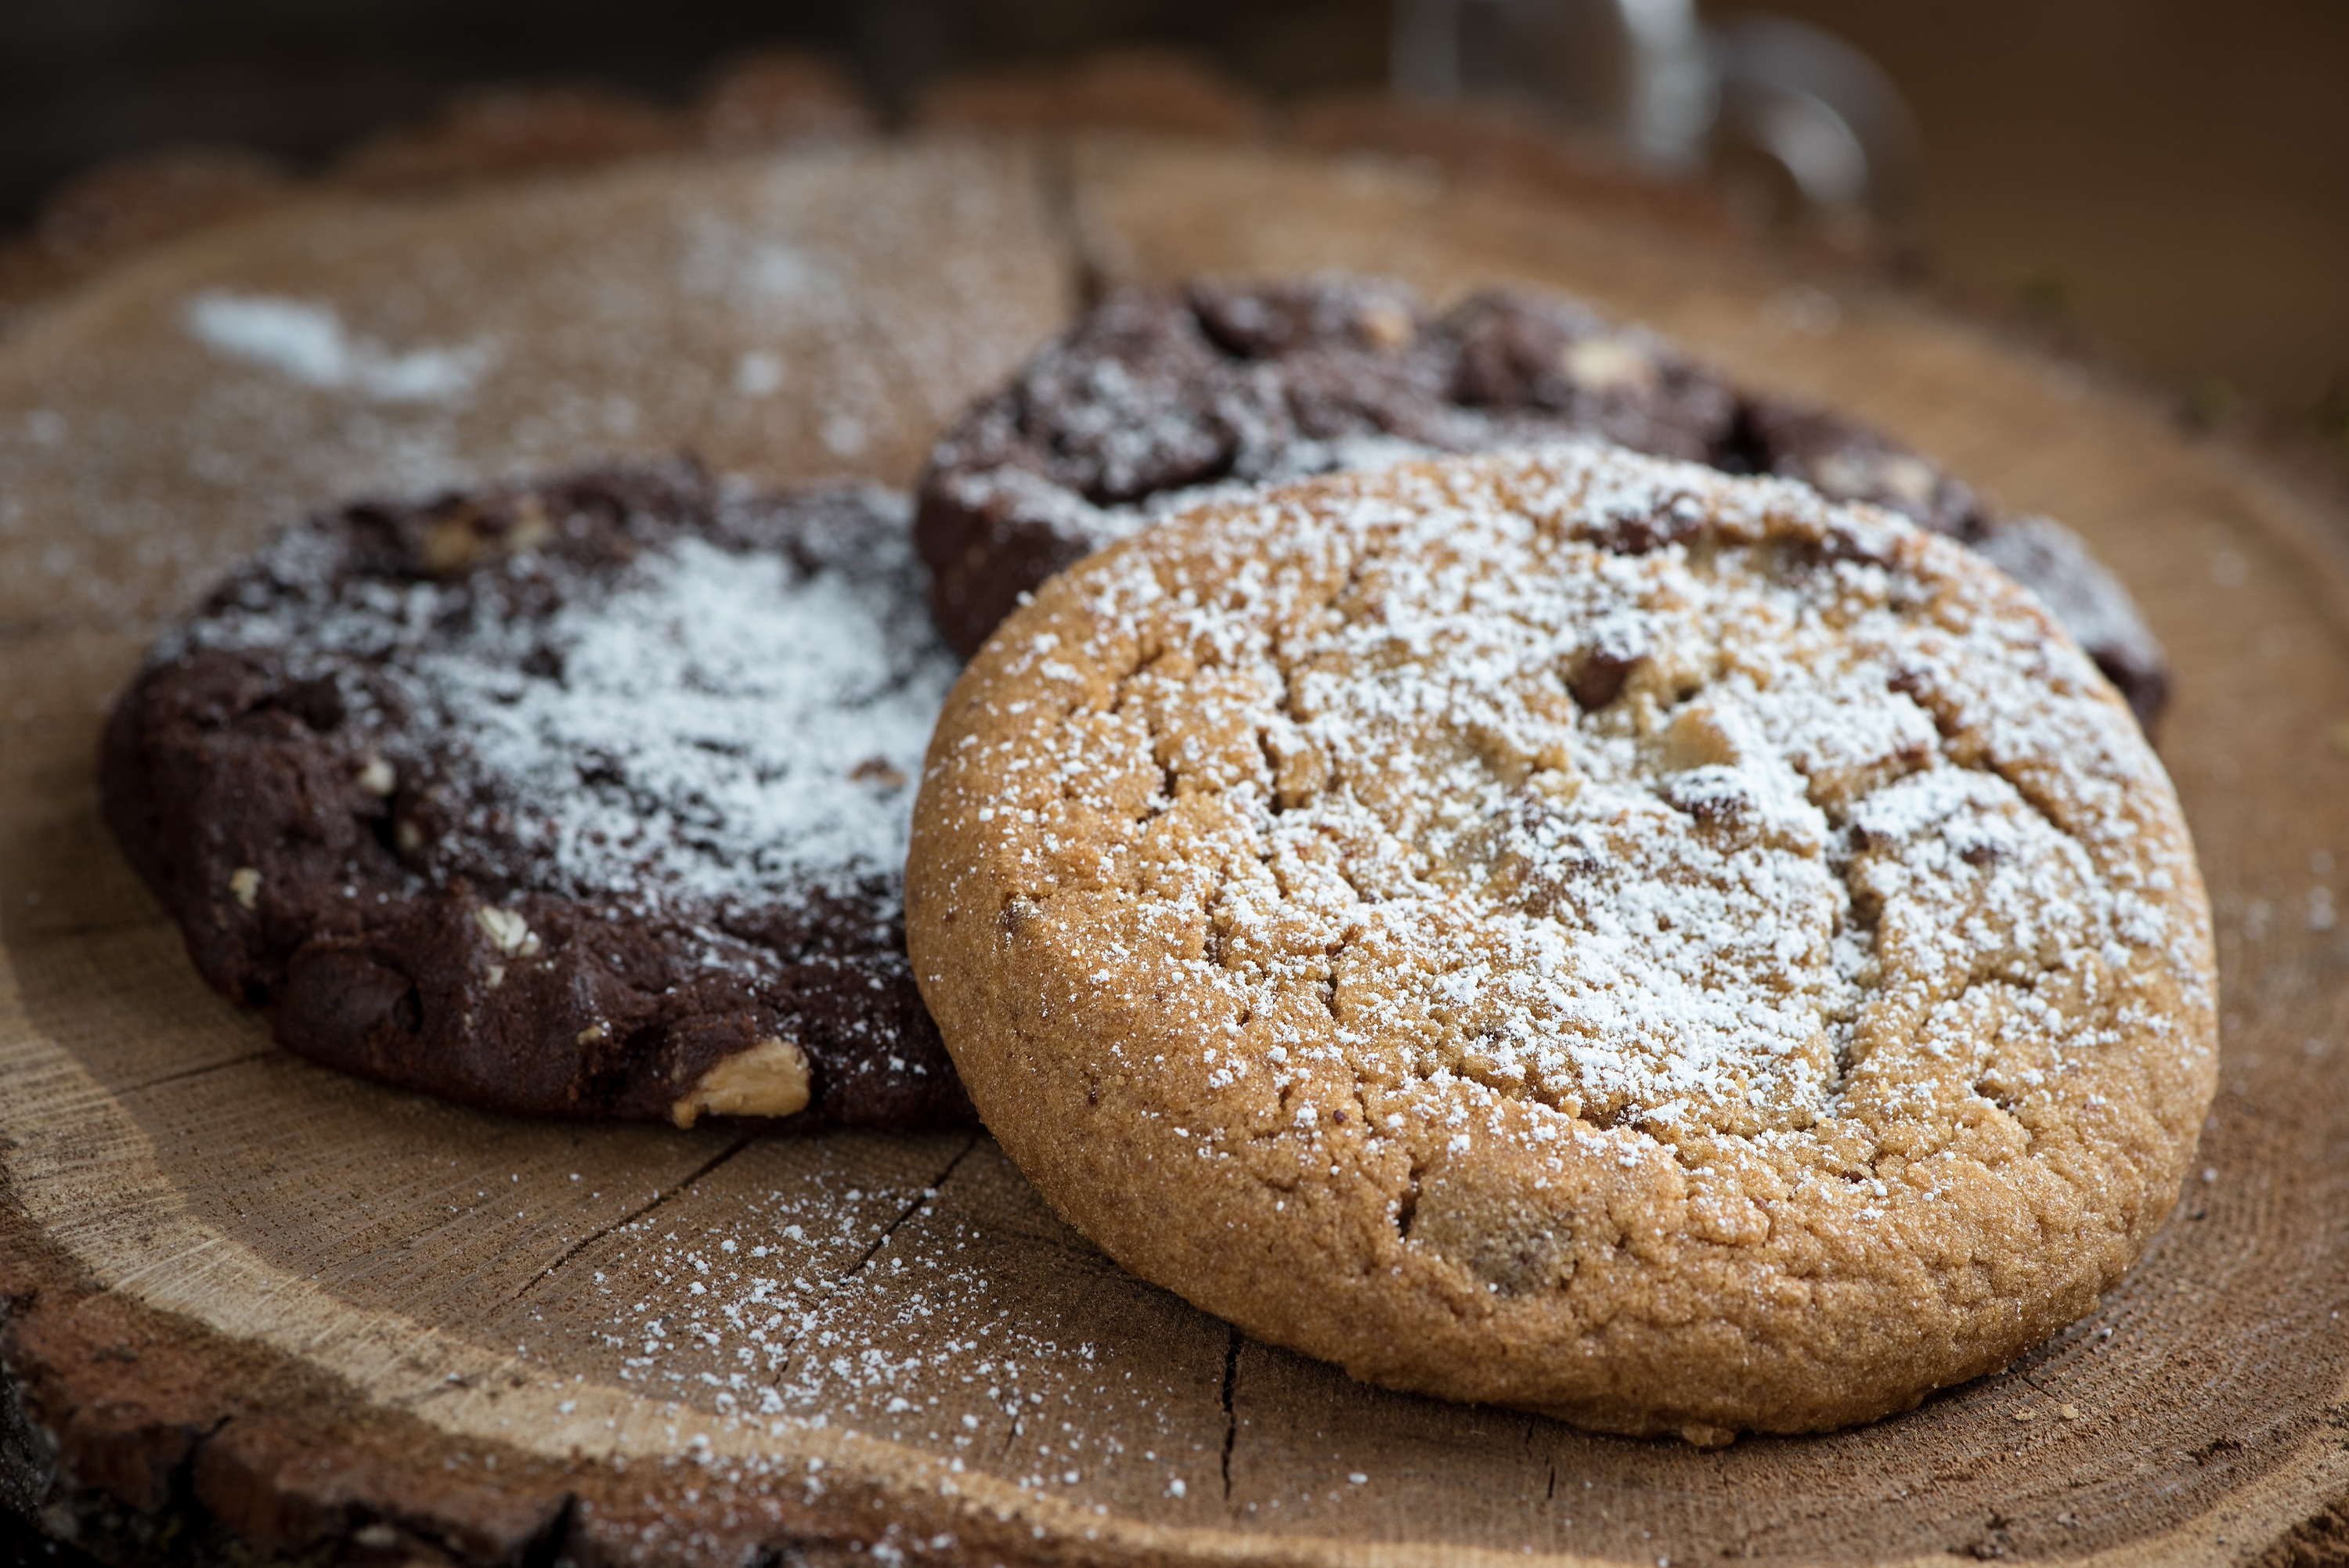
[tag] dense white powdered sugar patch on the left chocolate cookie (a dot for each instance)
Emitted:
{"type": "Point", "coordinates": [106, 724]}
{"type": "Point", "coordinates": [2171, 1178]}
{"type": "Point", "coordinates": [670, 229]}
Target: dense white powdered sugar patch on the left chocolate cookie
{"type": "Point", "coordinates": [725, 726]}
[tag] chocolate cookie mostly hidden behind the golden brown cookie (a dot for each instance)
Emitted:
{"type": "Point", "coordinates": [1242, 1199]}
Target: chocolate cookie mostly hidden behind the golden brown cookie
{"type": "Point", "coordinates": [1159, 393]}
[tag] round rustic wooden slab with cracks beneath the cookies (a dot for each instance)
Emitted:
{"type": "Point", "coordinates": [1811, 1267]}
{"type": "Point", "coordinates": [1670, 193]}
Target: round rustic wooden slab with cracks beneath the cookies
{"type": "Point", "coordinates": [264, 1309]}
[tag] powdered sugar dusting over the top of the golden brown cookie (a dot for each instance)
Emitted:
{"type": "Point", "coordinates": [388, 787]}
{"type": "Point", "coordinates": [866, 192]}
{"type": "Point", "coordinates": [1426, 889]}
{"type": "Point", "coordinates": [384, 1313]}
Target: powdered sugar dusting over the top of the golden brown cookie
{"type": "Point", "coordinates": [1589, 785]}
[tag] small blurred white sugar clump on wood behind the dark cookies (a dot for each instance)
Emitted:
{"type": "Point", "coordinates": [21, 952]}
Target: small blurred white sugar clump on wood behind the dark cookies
{"type": "Point", "coordinates": [309, 344]}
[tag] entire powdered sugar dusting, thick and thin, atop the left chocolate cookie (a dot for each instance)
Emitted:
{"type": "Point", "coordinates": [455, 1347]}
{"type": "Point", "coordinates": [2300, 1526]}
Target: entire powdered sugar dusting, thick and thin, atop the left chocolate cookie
{"type": "Point", "coordinates": [706, 726]}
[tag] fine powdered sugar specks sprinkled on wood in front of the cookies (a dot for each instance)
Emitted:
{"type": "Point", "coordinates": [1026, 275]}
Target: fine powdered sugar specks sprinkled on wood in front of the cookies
{"type": "Point", "coordinates": [877, 1299]}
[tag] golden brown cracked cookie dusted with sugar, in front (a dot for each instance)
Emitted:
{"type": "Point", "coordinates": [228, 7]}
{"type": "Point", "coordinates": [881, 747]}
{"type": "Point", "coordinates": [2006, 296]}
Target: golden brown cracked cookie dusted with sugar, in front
{"type": "Point", "coordinates": [1573, 931]}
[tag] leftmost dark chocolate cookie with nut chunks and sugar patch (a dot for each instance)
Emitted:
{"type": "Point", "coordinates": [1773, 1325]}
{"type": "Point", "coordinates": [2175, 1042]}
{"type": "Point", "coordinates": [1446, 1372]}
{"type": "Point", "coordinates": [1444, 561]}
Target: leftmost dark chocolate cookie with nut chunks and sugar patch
{"type": "Point", "coordinates": [581, 797]}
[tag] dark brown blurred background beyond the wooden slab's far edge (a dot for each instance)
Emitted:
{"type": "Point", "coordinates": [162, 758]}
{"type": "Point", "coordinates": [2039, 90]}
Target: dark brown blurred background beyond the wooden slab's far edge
{"type": "Point", "coordinates": [2162, 177]}
